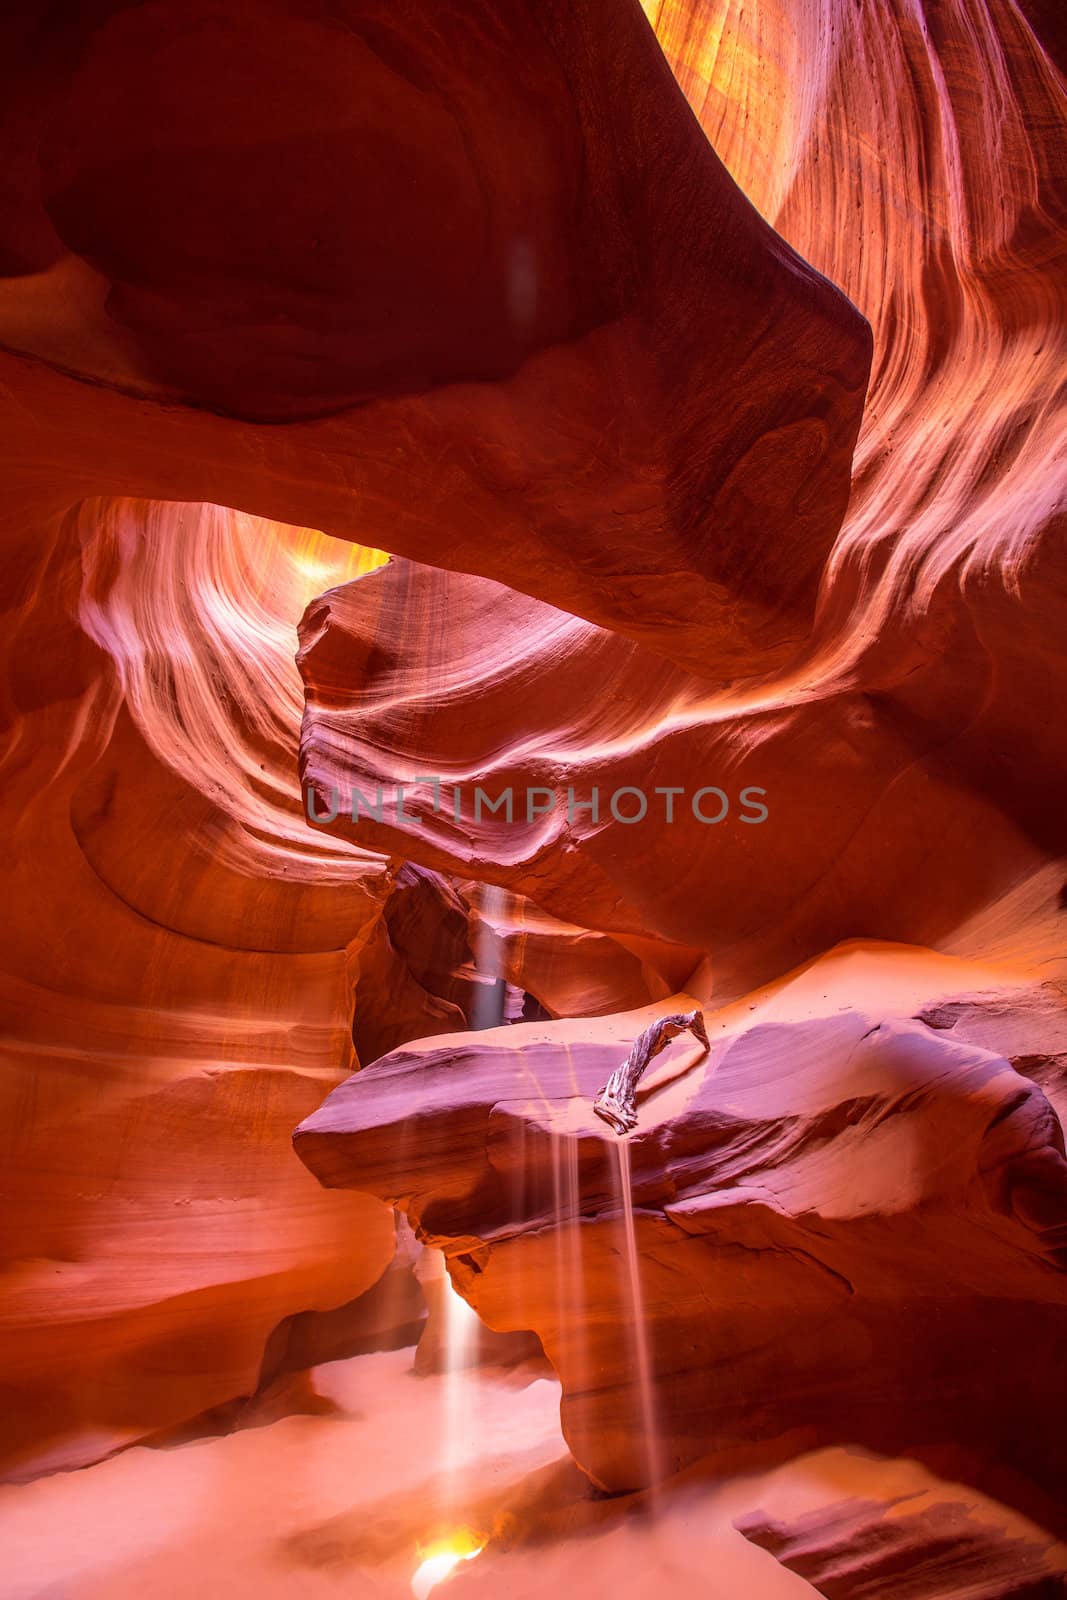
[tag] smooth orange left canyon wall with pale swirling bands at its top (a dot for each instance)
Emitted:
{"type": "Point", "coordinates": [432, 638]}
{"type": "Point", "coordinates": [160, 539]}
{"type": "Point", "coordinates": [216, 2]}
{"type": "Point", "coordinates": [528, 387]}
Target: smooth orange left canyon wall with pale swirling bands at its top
{"type": "Point", "coordinates": [177, 985]}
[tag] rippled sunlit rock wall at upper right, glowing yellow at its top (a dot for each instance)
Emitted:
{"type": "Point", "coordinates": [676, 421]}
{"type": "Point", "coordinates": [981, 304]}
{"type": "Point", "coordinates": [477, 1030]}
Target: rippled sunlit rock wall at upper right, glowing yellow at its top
{"type": "Point", "coordinates": [916, 156]}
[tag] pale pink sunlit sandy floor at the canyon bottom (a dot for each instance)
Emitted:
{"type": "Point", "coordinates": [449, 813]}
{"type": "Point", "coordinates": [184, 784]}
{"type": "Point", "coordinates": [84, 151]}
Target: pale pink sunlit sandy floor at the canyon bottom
{"type": "Point", "coordinates": [350, 1502]}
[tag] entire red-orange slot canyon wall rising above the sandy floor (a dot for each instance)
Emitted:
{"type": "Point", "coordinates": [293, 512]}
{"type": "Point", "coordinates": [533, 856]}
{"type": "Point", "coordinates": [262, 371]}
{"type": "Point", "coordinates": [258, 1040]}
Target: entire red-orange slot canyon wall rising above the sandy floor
{"type": "Point", "coordinates": [537, 398]}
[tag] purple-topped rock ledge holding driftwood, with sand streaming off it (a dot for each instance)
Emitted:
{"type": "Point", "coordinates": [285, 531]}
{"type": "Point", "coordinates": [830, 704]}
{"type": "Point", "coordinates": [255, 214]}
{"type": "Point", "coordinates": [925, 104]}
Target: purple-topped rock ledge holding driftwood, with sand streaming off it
{"type": "Point", "coordinates": [847, 1228]}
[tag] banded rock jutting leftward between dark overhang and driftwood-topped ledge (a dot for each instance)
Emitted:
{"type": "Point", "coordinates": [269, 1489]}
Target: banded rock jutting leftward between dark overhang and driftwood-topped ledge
{"type": "Point", "coordinates": [521, 697]}
